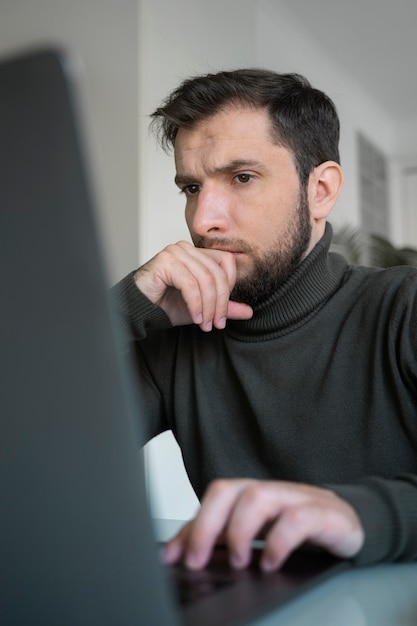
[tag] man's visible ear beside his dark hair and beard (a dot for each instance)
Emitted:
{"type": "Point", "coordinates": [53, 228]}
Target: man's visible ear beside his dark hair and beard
{"type": "Point", "coordinates": [324, 186]}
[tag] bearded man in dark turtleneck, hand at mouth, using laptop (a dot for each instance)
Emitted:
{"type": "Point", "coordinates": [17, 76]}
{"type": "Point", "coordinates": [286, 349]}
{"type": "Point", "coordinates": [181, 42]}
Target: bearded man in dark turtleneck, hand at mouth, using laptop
{"type": "Point", "coordinates": [288, 378]}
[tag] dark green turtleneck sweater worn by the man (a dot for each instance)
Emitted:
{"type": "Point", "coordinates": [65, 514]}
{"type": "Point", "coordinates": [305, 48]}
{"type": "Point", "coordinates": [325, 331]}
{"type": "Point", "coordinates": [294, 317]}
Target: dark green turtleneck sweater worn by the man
{"type": "Point", "coordinates": [320, 386]}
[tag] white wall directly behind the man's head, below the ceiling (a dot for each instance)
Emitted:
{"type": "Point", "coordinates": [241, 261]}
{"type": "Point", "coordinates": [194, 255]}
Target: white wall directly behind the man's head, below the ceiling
{"type": "Point", "coordinates": [185, 37]}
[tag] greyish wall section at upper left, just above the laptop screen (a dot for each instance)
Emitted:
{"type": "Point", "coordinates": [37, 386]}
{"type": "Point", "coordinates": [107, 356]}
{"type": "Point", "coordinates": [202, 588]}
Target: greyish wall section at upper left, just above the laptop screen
{"type": "Point", "coordinates": [104, 33]}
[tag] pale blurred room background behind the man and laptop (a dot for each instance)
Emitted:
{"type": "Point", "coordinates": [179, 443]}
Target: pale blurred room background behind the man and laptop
{"type": "Point", "coordinates": [133, 52]}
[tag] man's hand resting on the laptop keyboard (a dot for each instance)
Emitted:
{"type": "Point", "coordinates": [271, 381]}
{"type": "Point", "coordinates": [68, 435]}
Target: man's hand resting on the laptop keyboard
{"type": "Point", "coordinates": [234, 512]}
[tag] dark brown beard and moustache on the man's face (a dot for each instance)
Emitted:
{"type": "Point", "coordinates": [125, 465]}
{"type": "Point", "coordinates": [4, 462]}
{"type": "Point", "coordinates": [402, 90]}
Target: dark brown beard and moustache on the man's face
{"type": "Point", "coordinates": [273, 268]}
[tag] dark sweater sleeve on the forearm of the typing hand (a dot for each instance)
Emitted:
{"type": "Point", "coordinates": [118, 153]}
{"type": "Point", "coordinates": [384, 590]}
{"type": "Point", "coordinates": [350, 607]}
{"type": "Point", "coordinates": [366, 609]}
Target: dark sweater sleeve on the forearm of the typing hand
{"type": "Point", "coordinates": [388, 512]}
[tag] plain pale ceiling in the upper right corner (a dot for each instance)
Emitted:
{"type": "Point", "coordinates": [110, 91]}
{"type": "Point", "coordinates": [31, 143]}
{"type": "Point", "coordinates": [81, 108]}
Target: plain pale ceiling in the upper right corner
{"type": "Point", "coordinates": [374, 40]}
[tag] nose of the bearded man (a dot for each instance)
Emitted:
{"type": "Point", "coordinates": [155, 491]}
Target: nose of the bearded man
{"type": "Point", "coordinates": [209, 212]}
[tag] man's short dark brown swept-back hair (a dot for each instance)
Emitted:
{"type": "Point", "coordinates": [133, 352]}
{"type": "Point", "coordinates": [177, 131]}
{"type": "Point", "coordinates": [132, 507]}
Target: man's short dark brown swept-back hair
{"type": "Point", "coordinates": [304, 119]}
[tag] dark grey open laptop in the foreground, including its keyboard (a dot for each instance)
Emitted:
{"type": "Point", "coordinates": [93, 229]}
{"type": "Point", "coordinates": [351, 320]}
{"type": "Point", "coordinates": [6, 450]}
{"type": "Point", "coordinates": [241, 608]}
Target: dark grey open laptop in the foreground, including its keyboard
{"type": "Point", "coordinates": [77, 544]}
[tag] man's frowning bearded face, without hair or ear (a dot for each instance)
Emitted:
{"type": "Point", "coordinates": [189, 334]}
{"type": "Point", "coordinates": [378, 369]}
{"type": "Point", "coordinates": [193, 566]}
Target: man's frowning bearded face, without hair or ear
{"type": "Point", "coordinates": [243, 195]}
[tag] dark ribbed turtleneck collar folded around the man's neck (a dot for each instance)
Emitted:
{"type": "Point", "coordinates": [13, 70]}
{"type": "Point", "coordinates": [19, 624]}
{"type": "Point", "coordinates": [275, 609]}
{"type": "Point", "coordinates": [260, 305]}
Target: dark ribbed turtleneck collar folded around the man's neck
{"type": "Point", "coordinates": [314, 280]}
